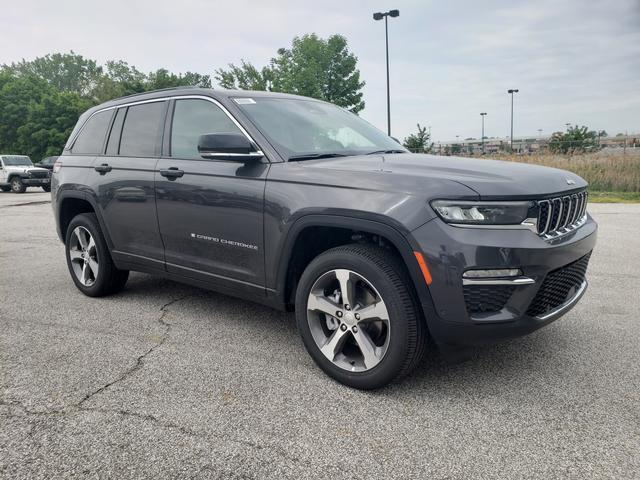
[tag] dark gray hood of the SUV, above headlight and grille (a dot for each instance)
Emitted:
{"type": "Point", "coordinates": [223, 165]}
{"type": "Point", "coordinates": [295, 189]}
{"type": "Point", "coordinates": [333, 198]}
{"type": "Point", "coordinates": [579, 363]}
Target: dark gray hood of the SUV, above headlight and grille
{"type": "Point", "coordinates": [488, 178]}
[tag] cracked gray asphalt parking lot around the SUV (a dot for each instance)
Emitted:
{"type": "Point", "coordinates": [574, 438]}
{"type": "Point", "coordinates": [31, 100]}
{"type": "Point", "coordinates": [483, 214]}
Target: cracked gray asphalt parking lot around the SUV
{"type": "Point", "coordinates": [166, 380]}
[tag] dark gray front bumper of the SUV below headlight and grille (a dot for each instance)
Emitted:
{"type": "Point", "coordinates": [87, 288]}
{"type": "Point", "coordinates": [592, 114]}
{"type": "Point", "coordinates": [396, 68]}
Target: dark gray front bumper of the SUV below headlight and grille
{"type": "Point", "coordinates": [450, 251]}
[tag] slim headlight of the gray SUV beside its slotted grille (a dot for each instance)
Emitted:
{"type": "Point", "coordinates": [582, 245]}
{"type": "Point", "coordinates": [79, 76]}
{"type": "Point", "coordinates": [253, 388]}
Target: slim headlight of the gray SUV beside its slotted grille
{"type": "Point", "coordinates": [482, 213]}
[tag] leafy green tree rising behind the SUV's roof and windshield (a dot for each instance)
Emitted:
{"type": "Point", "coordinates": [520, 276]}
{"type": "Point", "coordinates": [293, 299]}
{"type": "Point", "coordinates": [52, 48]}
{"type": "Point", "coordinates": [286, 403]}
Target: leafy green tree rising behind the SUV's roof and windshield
{"type": "Point", "coordinates": [313, 67]}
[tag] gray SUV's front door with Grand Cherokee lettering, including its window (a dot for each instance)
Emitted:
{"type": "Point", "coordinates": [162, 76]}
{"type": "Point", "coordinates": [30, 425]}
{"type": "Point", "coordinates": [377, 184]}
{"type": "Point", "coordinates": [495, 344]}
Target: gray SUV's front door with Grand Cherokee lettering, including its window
{"type": "Point", "coordinates": [210, 217]}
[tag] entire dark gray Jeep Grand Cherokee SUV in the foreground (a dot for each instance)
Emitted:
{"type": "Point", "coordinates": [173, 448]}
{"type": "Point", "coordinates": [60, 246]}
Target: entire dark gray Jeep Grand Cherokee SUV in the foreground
{"type": "Point", "coordinates": [299, 204]}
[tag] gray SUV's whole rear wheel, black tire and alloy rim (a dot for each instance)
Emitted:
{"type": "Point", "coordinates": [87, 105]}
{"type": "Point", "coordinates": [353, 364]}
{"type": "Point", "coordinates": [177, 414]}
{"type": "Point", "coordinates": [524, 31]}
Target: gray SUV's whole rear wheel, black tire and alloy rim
{"type": "Point", "coordinates": [89, 261]}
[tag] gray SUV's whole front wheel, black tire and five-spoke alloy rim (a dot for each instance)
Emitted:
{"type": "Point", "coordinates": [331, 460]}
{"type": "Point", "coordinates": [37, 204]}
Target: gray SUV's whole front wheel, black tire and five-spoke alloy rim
{"type": "Point", "coordinates": [377, 282]}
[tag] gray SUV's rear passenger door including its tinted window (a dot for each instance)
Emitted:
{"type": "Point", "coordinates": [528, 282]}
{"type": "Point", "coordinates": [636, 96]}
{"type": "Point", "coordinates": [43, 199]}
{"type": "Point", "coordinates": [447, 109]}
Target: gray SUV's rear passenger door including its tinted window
{"type": "Point", "coordinates": [123, 180]}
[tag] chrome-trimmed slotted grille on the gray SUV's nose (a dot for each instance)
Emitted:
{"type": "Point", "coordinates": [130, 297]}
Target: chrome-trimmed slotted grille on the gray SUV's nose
{"type": "Point", "coordinates": [561, 214]}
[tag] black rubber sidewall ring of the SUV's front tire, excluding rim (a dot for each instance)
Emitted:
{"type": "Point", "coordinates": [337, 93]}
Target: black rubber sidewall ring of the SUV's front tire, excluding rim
{"type": "Point", "coordinates": [390, 365]}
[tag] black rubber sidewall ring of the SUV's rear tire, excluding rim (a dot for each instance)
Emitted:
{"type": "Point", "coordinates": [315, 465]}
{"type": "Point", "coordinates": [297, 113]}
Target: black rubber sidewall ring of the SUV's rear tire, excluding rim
{"type": "Point", "coordinates": [90, 222]}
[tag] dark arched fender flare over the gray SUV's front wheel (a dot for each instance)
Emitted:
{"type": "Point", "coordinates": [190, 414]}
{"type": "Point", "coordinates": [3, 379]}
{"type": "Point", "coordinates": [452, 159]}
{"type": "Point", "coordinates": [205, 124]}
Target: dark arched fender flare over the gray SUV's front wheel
{"type": "Point", "coordinates": [403, 243]}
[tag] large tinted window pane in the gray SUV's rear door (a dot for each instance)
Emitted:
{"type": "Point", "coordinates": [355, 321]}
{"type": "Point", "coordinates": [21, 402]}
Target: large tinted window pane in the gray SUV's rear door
{"type": "Point", "coordinates": [140, 133]}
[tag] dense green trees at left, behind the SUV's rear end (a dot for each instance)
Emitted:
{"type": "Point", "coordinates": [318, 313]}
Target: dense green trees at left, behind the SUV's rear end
{"type": "Point", "coordinates": [41, 100]}
